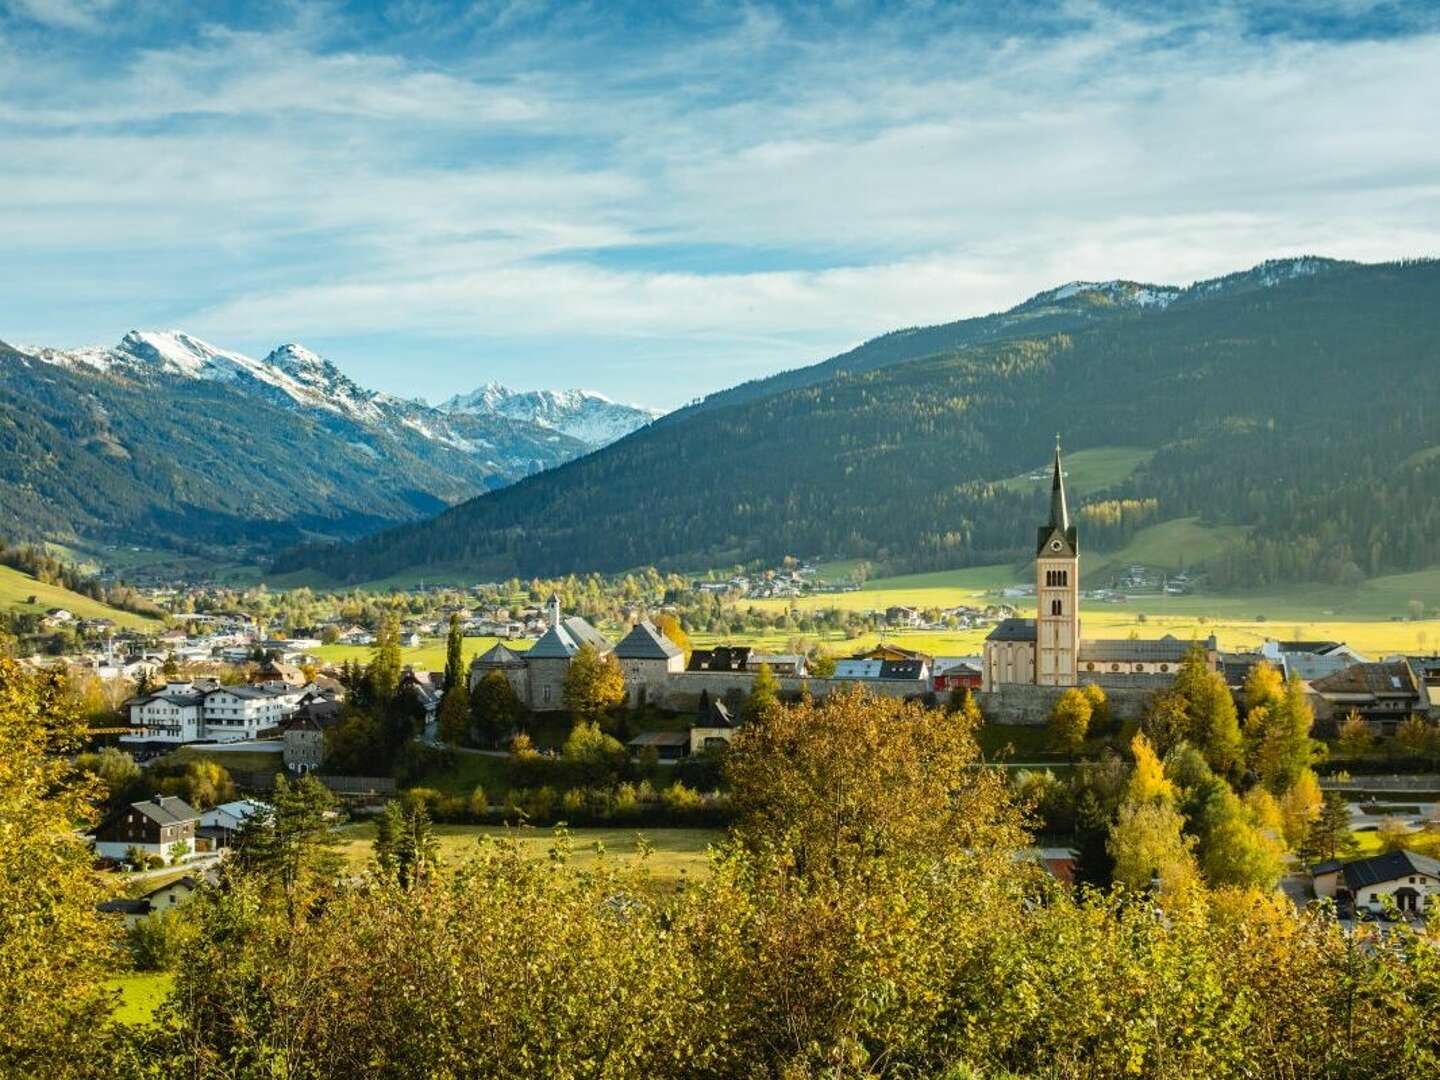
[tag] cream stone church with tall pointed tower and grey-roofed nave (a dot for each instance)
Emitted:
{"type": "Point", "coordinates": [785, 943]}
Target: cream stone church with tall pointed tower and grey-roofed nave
{"type": "Point", "coordinates": [1049, 650]}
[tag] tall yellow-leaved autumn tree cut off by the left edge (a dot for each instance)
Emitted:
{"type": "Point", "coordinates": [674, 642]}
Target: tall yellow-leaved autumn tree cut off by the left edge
{"type": "Point", "coordinates": [55, 950]}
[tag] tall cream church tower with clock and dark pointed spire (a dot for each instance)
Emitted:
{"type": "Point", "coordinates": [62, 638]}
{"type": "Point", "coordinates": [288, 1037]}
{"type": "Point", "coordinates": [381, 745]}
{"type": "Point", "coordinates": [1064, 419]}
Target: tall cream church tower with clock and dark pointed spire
{"type": "Point", "coordinates": [1058, 591]}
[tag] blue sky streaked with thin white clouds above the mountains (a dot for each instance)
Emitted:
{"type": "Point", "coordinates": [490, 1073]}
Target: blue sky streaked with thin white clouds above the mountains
{"type": "Point", "coordinates": [659, 201]}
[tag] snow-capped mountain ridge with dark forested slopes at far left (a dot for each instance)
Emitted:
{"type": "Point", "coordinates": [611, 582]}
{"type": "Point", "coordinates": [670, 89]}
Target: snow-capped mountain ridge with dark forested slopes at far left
{"type": "Point", "coordinates": [168, 441]}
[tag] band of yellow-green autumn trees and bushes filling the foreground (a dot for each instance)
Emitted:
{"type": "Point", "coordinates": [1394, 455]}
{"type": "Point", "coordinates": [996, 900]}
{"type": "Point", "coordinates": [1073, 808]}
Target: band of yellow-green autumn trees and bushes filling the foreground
{"type": "Point", "coordinates": [873, 914]}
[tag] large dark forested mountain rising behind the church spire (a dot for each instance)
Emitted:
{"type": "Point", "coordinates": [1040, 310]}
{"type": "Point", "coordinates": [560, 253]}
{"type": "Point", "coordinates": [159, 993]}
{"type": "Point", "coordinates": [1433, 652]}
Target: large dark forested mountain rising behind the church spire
{"type": "Point", "coordinates": [1294, 401]}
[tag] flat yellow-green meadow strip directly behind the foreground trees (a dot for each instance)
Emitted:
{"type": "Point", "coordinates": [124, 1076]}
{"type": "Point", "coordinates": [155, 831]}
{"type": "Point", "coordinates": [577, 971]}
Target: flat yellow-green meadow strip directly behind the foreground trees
{"type": "Point", "coordinates": [678, 855]}
